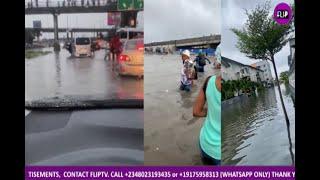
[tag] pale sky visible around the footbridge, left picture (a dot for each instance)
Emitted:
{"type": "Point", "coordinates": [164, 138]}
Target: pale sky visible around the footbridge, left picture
{"type": "Point", "coordinates": [90, 20]}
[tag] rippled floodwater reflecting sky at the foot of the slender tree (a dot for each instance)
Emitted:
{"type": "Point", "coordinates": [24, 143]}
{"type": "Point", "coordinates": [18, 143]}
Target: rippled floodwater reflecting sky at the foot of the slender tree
{"type": "Point", "coordinates": [254, 130]}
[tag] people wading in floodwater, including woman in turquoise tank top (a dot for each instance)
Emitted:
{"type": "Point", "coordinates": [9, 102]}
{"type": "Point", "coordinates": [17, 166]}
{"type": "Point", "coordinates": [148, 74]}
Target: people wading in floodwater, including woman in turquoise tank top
{"type": "Point", "coordinates": [210, 94]}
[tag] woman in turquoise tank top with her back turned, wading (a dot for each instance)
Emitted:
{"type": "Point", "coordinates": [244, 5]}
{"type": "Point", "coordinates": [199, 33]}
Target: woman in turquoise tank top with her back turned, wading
{"type": "Point", "coordinates": [210, 133]}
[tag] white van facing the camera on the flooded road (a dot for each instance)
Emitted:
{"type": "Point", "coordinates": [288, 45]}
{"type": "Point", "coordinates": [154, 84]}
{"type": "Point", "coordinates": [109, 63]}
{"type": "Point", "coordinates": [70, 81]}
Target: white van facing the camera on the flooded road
{"type": "Point", "coordinates": [82, 47]}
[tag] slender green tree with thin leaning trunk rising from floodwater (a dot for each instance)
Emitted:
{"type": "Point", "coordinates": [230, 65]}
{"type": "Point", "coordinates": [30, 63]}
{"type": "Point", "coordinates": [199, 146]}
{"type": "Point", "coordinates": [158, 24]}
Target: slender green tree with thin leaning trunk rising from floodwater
{"type": "Point", "coordinates": [261, 38]}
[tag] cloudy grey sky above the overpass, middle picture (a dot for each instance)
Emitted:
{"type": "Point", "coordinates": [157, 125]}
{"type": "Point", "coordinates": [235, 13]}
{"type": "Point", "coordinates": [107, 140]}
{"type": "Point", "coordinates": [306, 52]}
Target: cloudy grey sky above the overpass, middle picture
{"type": "Point", "coordinates": [178, 19]}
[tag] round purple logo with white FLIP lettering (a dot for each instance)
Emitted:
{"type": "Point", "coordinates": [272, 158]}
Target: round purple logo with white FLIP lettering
{"type": "Point", "coordinates": [282, 13]}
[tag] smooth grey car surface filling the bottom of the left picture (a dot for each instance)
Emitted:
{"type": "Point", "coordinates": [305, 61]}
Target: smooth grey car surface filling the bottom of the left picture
{"type": "Point", "coordinates": [84, 137]}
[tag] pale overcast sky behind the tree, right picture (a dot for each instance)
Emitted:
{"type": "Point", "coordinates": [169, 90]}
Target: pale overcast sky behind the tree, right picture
{"type": "Point", "coordinates": [233, 15]}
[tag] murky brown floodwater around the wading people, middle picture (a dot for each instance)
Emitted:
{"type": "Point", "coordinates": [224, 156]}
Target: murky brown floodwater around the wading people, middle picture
{"type": "Point", "coordinates": [171, 132]}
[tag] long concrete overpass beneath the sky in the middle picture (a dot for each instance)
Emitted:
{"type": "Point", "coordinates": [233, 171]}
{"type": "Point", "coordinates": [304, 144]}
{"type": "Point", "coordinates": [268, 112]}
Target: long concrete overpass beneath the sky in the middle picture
{"type": "Point", "coordinates": [204, 42]}
